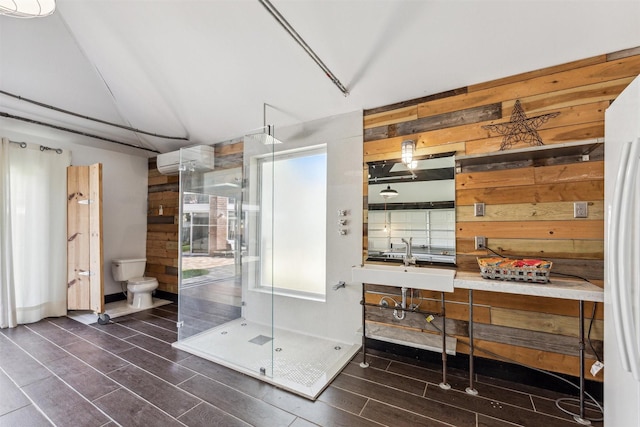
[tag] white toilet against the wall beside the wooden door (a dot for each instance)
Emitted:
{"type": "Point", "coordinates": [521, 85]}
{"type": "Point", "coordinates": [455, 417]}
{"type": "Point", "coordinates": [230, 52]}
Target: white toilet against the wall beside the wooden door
{"type": "Point", "coordinates": [139, 288]}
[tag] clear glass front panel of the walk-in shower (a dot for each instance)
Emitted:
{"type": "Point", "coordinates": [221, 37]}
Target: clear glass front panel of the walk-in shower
{"type": "Point", "coordinates": [225, 315]}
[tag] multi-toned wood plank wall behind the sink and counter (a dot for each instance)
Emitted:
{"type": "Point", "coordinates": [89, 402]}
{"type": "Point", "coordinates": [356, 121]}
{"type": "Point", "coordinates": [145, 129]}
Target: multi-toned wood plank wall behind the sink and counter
{"type": "Point", "coordinates": [529, 207]}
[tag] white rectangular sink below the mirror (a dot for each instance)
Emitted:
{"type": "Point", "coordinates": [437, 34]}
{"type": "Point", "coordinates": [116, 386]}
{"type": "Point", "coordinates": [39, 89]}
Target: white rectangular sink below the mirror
{"type": "Point", "coordinates": [426, 278]}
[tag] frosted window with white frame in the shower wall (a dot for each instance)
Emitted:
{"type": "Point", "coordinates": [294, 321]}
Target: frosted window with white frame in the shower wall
{"type": "Point", "coordinates": [293, 192]}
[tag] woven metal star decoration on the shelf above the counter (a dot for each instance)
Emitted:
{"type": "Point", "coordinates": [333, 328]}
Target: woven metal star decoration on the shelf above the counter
{"type": "Point", "coordinates": [520, 128]}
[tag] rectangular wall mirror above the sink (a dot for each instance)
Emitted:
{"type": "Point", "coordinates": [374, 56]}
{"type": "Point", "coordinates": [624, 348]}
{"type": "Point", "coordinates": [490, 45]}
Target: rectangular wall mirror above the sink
{"type": "Point", "coordinates": [416, 205]}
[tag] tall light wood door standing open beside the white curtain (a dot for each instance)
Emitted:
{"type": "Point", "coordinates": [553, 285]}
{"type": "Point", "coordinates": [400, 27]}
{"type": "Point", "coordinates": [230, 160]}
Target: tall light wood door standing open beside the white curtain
{"type": "Point", "coordinates": [85, 286]}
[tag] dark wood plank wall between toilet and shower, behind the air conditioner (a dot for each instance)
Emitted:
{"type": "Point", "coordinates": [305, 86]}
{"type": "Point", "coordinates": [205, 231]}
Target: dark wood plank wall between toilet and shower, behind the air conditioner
{"type": "Point", "coordinates": [162, 230]}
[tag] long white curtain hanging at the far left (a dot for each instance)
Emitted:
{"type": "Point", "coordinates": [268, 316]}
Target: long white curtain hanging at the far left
{"type": "Point", "coordinates": [33, 213]}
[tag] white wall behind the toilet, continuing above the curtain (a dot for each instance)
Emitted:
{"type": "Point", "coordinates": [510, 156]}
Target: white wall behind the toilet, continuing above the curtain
{"type": "Point", "coordinates": [124, 185]}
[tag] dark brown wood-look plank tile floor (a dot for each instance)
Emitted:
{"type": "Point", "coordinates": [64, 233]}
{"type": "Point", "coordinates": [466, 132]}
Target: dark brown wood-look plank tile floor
{"type": "Point", "coordinates": [64, 373]}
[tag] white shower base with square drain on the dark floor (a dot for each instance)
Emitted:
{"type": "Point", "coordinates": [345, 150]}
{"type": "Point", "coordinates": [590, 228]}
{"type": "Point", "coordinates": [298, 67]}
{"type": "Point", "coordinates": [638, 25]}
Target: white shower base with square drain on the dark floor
{"type": "Point", "coordinates": [299, 363]}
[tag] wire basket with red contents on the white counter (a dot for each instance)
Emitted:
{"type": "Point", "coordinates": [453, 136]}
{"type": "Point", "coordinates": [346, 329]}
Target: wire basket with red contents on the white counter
{"type": "Point", "coordinates": [520, 270]}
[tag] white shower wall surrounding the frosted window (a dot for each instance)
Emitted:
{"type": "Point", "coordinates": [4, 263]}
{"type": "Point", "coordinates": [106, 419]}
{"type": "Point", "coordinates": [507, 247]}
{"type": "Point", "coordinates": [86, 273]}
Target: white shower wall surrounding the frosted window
{"type": "Point", "coordinates": [339, 317]}
